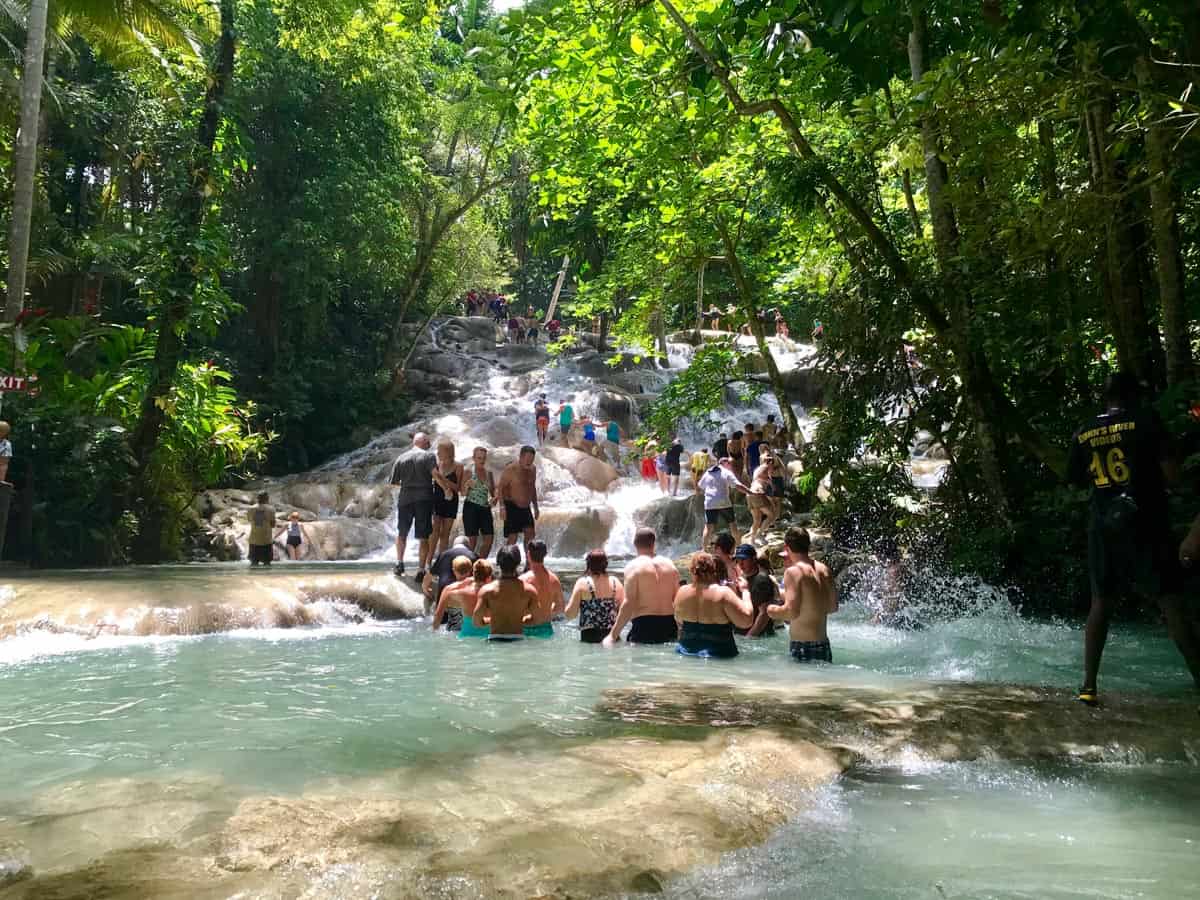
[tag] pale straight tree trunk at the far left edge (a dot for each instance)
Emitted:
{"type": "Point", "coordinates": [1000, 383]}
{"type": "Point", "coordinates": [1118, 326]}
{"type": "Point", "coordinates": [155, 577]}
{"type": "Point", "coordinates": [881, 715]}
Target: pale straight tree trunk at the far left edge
{"type": "Point", "coordinates": [26, 159]}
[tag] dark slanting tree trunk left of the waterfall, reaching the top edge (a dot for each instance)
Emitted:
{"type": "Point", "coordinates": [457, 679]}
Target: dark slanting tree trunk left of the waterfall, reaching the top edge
{"type": "Point", "coordinates": [182, 285]}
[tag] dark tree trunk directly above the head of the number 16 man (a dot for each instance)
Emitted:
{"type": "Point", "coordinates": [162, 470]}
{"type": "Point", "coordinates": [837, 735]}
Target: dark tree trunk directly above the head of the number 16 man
{"type": "Point", "coordinates": [1138, 346]}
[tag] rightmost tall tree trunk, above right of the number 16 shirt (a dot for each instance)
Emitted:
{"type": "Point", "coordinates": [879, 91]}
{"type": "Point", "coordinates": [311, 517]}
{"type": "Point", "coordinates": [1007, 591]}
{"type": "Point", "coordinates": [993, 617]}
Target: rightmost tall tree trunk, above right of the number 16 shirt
{"type": "Point", "coordinates": [1166, 227]}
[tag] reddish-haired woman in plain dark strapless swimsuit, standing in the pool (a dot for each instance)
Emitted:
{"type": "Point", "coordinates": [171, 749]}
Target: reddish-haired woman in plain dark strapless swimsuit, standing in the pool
{"type": "Point", "coordinates": [707, 613]}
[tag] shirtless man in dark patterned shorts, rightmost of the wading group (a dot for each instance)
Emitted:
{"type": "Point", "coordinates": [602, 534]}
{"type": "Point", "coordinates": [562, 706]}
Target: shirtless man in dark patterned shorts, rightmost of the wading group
{"type": "Point", "coordinates": [809, 597]}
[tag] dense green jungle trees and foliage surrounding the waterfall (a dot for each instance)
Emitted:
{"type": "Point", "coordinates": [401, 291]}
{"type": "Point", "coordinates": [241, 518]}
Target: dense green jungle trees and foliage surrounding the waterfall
{"type": "Point", "coordinates": [241, 214]}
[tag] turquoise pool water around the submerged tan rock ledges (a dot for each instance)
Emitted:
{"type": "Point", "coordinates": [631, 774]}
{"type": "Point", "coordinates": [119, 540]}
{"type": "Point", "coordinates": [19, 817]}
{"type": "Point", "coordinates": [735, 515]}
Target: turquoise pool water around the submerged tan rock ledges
{"type": "Point", "coordinates": [278, 711]}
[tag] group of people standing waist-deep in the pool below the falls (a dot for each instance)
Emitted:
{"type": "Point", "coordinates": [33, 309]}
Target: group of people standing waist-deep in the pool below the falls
{"type": "Point", "coordinates": [730, 592]}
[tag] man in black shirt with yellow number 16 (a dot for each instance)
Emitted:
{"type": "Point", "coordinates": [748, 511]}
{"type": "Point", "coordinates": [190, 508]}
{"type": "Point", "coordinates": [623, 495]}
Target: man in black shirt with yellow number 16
{"type": "Point", "coordinates": [1121, 455]}
